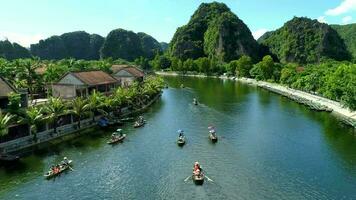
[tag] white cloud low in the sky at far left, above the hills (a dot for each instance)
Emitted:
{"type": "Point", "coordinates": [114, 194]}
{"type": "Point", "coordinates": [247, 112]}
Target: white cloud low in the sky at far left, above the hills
{"type": "Point", "coordinates": [20, 38]}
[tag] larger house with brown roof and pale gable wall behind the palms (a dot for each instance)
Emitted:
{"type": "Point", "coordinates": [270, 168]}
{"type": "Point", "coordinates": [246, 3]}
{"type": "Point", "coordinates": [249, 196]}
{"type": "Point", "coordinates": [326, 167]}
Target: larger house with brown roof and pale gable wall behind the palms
{"type": "Point", "coordinates": [75, 84]}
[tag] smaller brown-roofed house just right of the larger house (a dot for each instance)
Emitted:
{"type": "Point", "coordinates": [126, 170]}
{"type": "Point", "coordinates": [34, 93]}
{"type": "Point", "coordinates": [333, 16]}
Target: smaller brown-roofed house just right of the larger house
{"type": "Point", "coordinates": [127, 74]}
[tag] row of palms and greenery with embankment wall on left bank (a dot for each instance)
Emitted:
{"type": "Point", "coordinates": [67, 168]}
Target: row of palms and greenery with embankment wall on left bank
{"type": "Point", "coordinates": [69, 117]}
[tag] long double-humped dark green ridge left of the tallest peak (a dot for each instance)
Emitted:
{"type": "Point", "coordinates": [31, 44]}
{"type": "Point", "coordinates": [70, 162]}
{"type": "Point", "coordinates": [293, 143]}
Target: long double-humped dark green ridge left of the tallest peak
{"type": "Point", "coordinates": [119, 43]}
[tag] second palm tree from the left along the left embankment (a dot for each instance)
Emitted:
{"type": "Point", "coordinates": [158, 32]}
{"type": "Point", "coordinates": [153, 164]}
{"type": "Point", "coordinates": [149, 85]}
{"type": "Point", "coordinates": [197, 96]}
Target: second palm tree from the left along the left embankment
{"type": "Point", "coordinates": [32, 118]}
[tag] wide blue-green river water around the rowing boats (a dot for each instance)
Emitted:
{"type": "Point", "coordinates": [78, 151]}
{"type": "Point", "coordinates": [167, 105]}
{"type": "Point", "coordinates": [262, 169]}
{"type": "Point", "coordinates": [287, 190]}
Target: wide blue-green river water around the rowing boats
{"type": "Point", "coordinates": [269, 148]}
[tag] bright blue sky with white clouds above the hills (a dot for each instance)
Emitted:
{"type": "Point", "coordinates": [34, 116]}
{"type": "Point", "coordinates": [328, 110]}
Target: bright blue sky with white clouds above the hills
{"type": "Point", "coordinates": [28, 21]}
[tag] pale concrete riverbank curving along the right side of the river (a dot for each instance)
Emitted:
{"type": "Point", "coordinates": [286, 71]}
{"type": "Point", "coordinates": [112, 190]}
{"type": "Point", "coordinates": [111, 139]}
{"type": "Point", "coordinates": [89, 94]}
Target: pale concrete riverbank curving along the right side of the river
{"type": "Point", "coordinates": [314, 102]}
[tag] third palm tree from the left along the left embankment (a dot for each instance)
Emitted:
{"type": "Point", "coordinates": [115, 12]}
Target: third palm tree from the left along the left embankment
{"type": "Point", "coordinates": [54, 108]}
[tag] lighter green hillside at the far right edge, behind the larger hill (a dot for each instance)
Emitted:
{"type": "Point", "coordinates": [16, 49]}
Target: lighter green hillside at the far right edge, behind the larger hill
{"type": "Point", "coordinates": [348, 34]}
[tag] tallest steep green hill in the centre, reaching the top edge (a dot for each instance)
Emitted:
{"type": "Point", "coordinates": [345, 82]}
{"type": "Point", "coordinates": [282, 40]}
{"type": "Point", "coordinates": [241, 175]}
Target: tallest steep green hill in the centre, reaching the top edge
{"type": "Point", "coordinates": [213, 30]}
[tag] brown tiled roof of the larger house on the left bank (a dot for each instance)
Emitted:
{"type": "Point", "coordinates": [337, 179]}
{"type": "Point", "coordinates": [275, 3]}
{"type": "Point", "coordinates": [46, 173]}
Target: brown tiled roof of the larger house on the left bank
{"type": "Point", "coordinates": [94, 77]}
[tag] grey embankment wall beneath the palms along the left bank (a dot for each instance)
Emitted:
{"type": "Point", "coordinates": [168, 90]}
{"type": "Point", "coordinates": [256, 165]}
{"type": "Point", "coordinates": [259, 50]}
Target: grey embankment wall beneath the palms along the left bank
{"type": "Point", "coordinates": [64, 133]}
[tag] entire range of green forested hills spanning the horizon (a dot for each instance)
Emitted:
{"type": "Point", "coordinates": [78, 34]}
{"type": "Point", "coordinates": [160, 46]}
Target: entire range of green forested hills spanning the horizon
{"type": "Point", "coordinates": [212, 31]}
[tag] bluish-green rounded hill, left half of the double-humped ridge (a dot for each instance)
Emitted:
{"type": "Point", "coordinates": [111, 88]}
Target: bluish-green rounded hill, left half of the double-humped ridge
{"type": "Point", "coordinates": [78, 45]}
